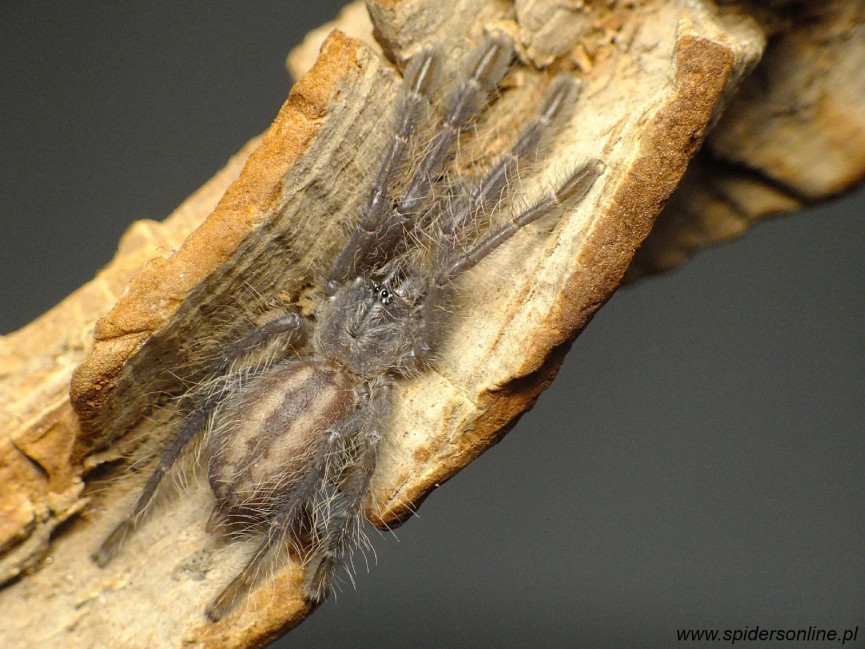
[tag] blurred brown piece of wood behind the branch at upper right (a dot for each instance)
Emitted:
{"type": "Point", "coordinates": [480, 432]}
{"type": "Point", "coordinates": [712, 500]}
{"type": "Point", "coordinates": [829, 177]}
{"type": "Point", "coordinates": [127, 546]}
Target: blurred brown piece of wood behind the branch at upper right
{"type": "Point", "coordinates": [793, 135]}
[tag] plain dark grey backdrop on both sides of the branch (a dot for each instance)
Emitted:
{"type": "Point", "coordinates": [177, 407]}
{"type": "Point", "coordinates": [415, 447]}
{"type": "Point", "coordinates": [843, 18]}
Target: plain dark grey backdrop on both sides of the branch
{"type": "Point", "coordinates": [698, 462]}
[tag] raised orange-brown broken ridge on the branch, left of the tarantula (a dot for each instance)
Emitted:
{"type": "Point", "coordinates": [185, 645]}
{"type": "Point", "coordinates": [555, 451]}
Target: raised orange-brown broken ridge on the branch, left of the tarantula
{"type": "Point", "coordinates": [158, 289]}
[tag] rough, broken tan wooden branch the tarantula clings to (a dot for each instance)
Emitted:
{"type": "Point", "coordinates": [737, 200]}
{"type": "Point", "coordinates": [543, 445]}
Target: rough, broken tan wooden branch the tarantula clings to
{"type": "Point", "coordinates": [655, 79]}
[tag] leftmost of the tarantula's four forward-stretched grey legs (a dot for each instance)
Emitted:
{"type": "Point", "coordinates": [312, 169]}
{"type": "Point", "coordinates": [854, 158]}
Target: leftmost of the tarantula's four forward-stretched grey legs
{"type": "Point", "coordinates": [416, 89]}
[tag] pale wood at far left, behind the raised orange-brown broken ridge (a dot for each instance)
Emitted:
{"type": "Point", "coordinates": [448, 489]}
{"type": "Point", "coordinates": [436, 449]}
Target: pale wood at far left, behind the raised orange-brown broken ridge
{"type": "Point", "coordinates": [39, 471]}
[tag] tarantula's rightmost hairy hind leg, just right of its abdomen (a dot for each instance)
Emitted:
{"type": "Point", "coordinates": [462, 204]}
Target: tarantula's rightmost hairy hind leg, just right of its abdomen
{"type": "Point", "coordinates": [340, 531]}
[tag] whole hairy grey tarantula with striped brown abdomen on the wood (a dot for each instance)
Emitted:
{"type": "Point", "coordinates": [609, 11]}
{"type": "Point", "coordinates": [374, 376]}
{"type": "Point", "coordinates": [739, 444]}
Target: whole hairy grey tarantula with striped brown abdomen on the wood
{"type": "Point", "coordinates": [293, 418]}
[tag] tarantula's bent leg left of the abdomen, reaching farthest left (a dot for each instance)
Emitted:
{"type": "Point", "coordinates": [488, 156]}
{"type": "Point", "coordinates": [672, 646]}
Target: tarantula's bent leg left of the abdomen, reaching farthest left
{"type": "Point", "coordinates": [291, 326]}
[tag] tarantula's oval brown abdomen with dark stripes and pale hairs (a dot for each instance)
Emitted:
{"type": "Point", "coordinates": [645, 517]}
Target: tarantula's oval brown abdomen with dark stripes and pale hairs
{"type": "Point", "coordinates": [266, 441]}
